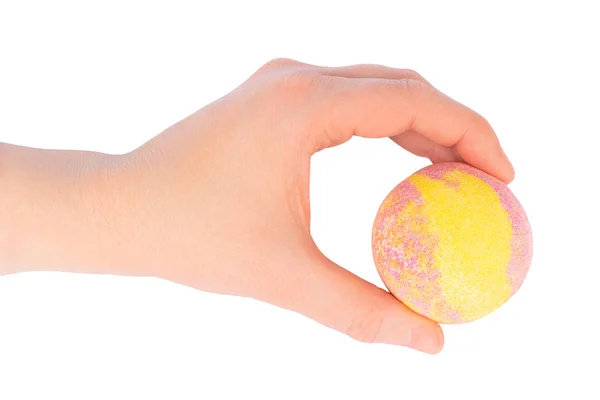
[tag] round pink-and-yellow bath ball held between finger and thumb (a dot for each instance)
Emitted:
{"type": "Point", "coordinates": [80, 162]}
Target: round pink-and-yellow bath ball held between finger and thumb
{"type": "Point", "coordinates": [452, 243]}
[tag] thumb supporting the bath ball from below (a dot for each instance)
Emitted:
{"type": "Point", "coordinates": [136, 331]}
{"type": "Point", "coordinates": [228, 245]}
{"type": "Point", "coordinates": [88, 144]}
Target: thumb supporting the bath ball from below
{"type": "Point", "coordinates": [336, 298]}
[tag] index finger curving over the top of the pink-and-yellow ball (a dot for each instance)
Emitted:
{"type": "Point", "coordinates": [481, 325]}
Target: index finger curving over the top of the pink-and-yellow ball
{"type": "Point", "coordinates": [374, 108]}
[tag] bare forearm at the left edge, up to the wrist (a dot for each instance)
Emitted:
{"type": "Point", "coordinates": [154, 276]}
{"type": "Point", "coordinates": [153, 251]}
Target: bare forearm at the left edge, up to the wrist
{"type": "Point", "coordinates": [54, 214]}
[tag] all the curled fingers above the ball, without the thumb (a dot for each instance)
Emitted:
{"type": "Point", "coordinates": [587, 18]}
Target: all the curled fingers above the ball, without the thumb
{"type": "Point", "coordinates": [377, 101]}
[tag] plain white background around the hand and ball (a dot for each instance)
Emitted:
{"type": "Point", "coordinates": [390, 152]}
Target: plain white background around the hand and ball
{"type": "Point", "coordinates": [107, 76]}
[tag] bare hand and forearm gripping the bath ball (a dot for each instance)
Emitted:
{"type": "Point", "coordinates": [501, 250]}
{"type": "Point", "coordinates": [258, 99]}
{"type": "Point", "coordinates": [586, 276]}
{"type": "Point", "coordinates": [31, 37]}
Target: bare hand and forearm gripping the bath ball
{"type": "Point", "coordinates": [220, 201]}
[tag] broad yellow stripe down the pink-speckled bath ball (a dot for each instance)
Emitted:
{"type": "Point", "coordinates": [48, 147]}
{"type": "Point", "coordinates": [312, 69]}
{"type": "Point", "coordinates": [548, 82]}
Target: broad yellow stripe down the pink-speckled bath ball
{"type": "Point", "coordinates": [474, 241]}
